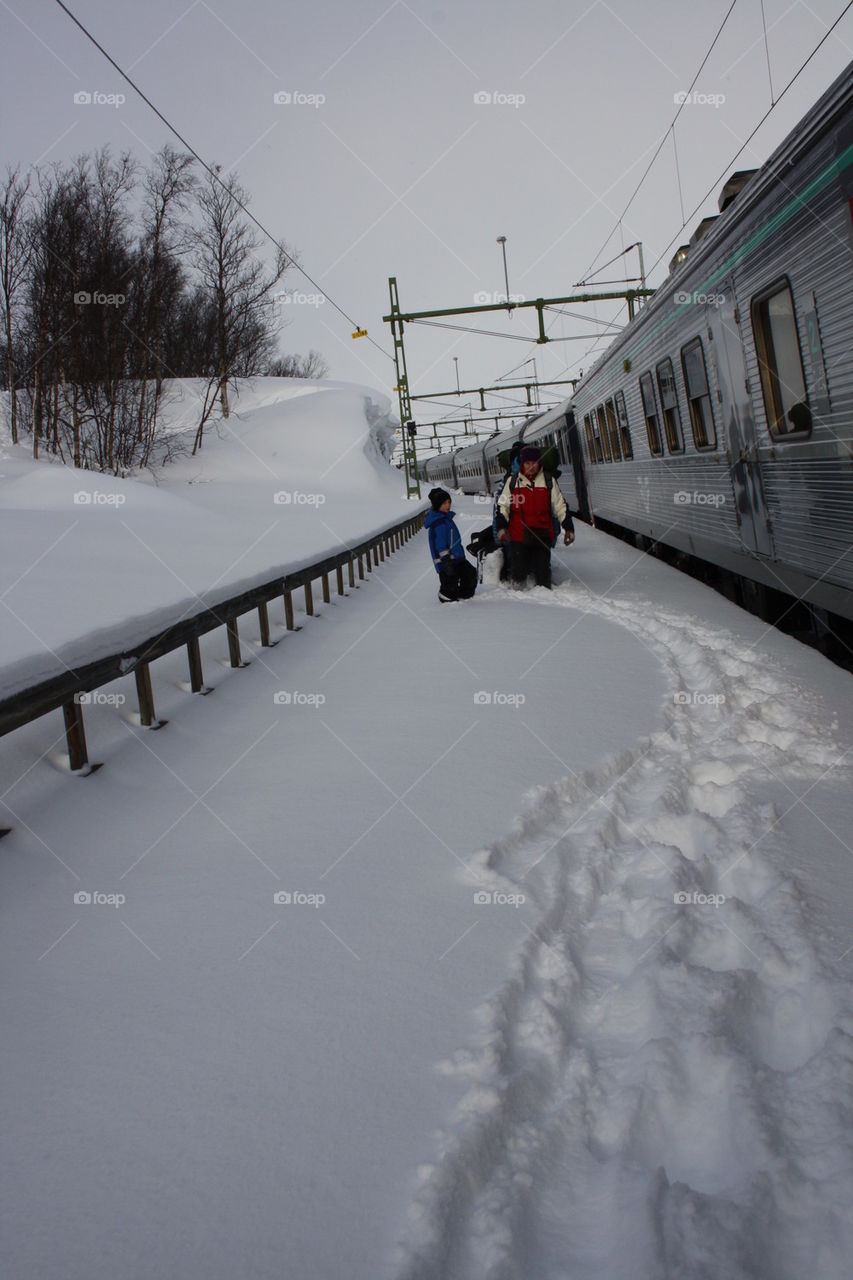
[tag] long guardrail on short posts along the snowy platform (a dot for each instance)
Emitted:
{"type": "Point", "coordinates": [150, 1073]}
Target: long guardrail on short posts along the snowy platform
{"type": "Point", "coordinates": [66, 689]}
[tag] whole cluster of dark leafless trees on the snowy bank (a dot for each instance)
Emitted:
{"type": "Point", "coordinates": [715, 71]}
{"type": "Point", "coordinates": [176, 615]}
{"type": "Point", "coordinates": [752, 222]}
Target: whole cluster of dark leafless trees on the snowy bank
{"type": "Point", "coordinates": [115, 280]}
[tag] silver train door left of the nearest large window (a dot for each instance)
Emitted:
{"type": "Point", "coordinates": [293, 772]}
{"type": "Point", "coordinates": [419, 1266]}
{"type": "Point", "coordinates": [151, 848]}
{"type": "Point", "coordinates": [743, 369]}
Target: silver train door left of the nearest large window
{"type": "Point", "coordinates": [740, 429]}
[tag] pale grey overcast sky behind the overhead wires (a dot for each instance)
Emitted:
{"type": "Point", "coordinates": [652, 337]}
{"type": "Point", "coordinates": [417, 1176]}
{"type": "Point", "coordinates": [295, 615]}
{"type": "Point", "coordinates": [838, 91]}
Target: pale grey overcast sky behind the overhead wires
{"type": "Point", "coordinates": [391, 167]}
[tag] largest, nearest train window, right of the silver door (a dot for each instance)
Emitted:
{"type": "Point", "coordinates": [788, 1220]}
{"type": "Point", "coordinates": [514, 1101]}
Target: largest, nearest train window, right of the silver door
{"type": "Point", "coordinates": [781, 363]}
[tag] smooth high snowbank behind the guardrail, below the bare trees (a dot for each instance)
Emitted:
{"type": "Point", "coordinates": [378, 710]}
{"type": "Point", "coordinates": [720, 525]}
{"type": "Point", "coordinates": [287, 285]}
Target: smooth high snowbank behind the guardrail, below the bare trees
{"type": "Point", "coordinates": [95, 564]}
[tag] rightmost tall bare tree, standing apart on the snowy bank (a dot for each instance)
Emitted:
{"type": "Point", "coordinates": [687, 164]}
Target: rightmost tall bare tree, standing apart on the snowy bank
{"type": "Point", "coordinates": [236, 285]}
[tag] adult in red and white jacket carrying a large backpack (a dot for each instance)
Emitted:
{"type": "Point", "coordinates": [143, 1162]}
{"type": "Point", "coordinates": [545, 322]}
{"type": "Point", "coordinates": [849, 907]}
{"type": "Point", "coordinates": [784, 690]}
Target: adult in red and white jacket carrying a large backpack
{"type": "Point", "coordinates": [527, 510]}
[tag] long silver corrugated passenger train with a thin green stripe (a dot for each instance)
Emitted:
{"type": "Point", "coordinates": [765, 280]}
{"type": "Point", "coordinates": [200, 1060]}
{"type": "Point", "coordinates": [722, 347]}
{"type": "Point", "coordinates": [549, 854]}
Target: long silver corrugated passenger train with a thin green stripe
{"type": "Point", "coordinates": [718, 428]}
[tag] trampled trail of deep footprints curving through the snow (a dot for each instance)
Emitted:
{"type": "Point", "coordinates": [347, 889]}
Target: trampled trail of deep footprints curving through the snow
{"type": "Point", "coordinates": [660, 1089]}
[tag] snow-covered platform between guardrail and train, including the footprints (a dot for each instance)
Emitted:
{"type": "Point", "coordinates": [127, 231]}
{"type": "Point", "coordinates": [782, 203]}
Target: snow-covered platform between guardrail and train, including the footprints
{"type": "Point", "coordinates": [640, 1071]}
